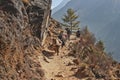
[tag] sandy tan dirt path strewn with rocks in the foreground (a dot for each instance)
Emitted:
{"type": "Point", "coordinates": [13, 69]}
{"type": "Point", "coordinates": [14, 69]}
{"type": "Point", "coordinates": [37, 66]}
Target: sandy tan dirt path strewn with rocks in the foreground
{"type": "Point", "coordinates": [57, 68]}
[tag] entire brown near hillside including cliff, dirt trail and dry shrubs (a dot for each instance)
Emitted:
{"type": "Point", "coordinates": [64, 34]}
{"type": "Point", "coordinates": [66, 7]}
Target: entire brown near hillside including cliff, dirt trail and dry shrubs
{"type": "Point", "coordinates": [31, 50]}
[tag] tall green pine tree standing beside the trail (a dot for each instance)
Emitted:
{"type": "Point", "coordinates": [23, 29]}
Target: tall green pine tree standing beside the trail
{"type": "Point", "coordinates": [70, 19]}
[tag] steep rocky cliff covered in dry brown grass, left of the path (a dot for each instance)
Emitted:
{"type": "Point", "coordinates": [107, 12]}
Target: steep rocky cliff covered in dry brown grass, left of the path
{"type": "Point", "coordinates": [22, 25]}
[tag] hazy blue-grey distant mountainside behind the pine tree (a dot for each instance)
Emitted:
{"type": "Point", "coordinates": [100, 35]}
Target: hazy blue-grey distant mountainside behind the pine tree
{"type": "Point", "coordinates": [102, 18]}
